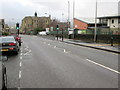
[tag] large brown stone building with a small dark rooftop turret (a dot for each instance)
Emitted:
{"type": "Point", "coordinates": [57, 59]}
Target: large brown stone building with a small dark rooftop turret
{"type": "Point", "coordinates": [30, 23]}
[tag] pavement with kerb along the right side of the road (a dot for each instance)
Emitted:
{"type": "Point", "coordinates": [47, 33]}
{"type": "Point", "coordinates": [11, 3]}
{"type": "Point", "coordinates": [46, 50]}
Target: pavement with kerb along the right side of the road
{"type": "Point", "coordinates": [101, 46]}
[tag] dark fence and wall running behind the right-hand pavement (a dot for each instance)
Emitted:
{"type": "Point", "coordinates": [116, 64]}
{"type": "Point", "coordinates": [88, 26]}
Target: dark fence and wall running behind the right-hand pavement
{"type": "Point", "coordinates": [103, 35]}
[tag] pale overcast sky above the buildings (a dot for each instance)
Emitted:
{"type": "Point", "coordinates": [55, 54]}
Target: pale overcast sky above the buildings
{"type": "Point", "coordinates": [16, 10]}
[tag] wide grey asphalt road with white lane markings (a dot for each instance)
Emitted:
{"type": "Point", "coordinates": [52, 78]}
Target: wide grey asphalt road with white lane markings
{"type": "Point", "coordinates": [45, 63]}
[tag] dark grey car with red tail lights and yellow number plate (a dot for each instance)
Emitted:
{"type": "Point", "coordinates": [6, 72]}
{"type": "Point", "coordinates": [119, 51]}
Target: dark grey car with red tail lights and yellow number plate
{"type": "Point", "coordinates": [9, 44]}
